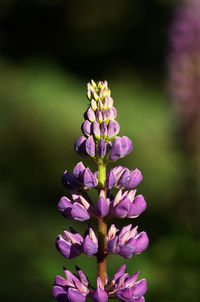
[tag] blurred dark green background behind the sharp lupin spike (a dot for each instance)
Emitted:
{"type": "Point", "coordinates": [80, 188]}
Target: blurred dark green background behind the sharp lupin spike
{"type": "Point", "coordinates": [49, 50]}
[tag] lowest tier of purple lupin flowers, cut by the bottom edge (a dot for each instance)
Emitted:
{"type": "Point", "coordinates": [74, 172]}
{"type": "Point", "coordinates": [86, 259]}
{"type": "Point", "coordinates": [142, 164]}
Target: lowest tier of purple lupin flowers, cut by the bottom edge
{"type": "Point", "coordinates": [75, 288]}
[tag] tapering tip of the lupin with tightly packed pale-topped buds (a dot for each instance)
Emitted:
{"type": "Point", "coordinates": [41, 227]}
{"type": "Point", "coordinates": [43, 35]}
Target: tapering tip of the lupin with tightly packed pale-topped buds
{"type": "Point", "coordinates": [100, 127]}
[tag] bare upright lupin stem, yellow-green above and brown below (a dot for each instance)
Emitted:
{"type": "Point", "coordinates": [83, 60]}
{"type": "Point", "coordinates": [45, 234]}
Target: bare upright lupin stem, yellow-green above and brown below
{"type": "Point", "coordinates": [102, 231]}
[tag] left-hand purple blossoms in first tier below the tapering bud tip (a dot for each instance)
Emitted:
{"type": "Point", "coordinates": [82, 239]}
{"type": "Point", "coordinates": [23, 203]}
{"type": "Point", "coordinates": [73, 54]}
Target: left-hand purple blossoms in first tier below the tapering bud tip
{"type": "Point", "coordinates": [81, 178]}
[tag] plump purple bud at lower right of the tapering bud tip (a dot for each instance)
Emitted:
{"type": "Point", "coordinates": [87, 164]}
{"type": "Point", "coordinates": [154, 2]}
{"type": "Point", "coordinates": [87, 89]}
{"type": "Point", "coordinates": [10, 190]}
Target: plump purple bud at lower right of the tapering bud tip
{"type": "Point", "coordinates": [120, 148]}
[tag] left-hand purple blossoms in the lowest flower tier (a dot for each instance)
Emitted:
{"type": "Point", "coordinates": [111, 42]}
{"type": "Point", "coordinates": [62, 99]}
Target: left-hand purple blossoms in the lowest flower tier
{"type": "Point", "coordinates": [71, 289]}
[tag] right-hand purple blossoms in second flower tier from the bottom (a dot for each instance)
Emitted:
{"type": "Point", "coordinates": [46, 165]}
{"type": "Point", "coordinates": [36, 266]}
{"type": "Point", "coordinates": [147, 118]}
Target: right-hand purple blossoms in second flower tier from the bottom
{"type": "Point", "coordinates": [127, 242]}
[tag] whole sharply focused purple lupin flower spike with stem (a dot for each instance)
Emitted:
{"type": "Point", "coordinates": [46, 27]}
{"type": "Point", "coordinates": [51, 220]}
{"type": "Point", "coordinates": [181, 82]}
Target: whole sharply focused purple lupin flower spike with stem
{"type": "Point", "coordinates": [116, 198]}
